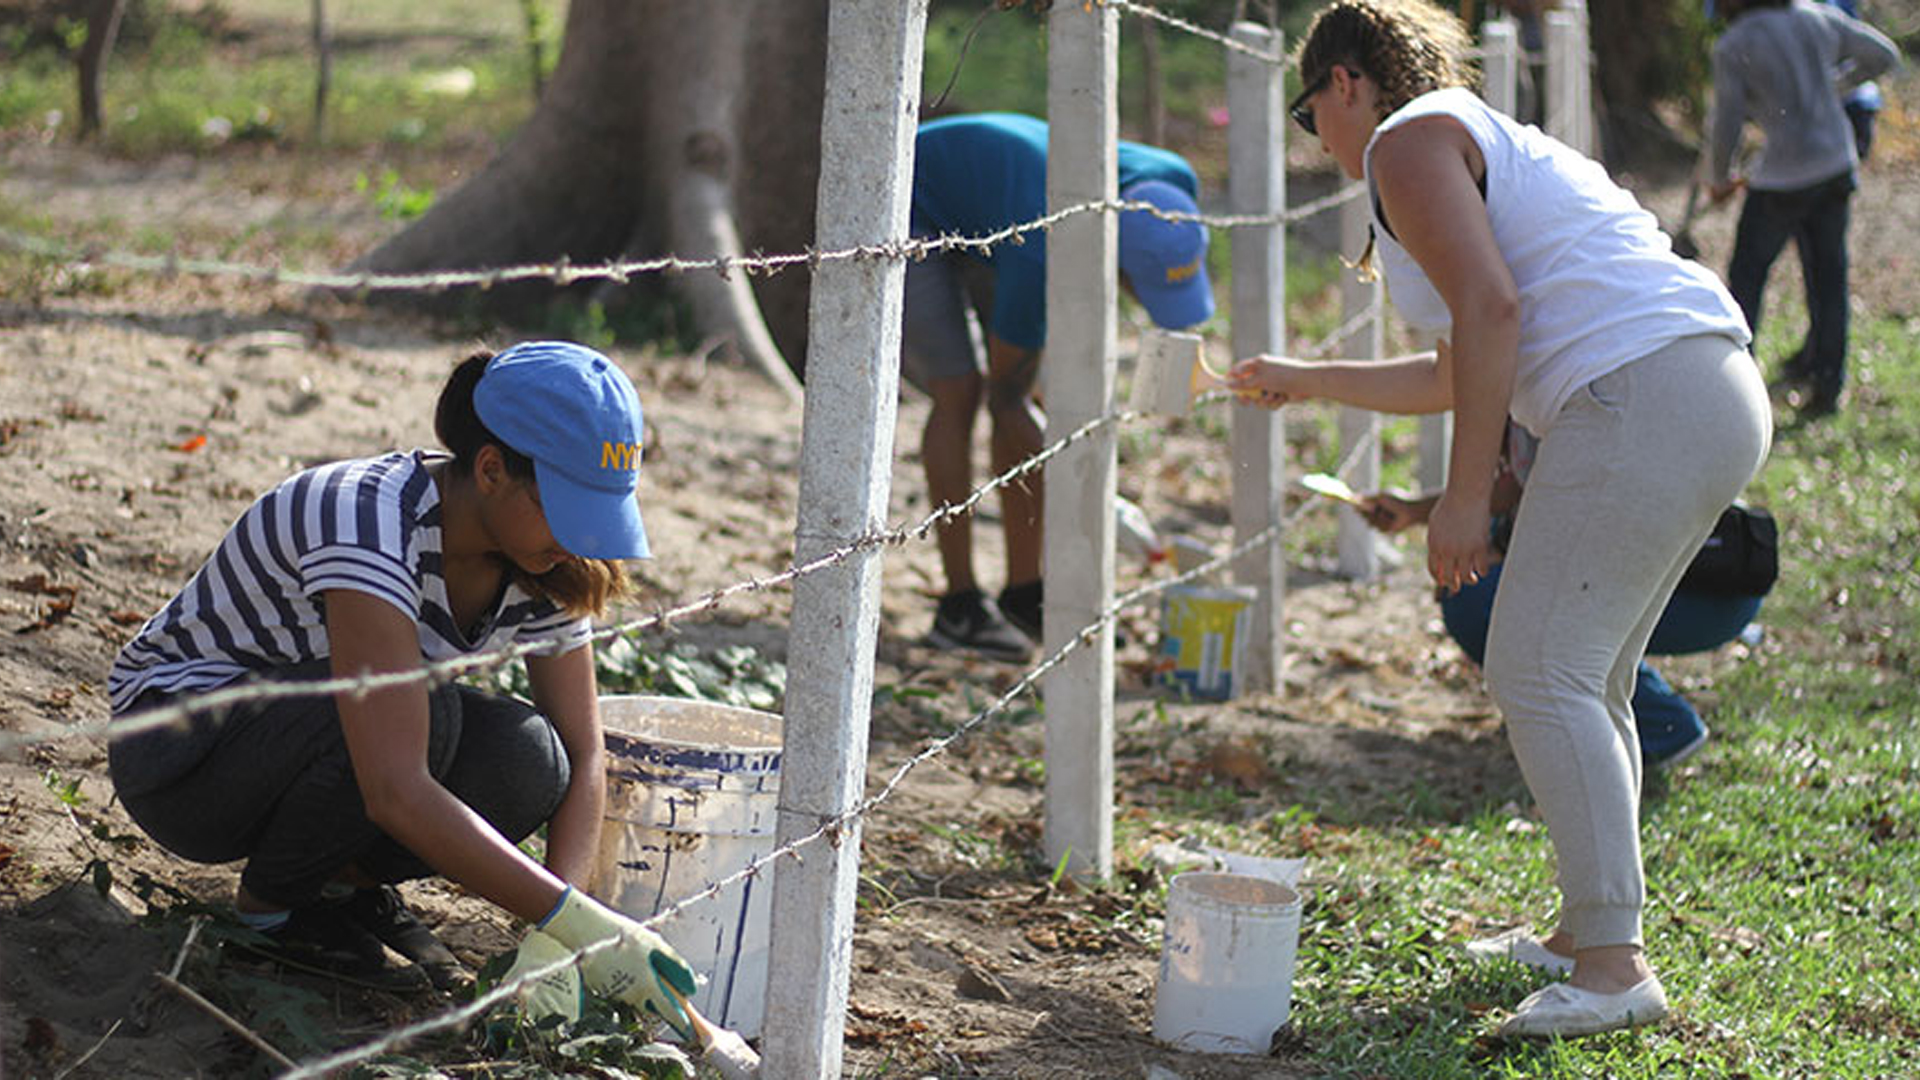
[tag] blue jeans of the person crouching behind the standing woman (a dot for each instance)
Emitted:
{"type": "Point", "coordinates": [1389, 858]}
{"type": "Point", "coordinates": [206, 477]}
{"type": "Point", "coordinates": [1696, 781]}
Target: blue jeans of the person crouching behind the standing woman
{"type": "Point", "coordinates": [1692, 624]}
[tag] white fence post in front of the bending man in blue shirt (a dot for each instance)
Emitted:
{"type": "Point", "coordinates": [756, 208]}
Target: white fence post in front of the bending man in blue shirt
{"type": "Point", "coordinates": [1078, 381]}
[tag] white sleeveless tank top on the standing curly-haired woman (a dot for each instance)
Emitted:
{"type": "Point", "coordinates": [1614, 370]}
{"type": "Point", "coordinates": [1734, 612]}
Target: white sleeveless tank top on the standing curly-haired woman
{"type": "Point", "coordinates": [1600, 283]}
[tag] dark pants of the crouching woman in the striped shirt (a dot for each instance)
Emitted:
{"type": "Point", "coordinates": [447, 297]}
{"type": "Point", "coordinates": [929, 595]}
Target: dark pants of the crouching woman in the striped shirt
{"type": "Point", "coordinates": [274, 785]}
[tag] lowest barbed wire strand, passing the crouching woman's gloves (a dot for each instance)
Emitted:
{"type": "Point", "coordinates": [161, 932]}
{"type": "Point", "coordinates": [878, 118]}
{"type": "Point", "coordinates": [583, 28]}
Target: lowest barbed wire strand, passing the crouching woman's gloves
{"type": "Point", "coordinates": [834, 827]}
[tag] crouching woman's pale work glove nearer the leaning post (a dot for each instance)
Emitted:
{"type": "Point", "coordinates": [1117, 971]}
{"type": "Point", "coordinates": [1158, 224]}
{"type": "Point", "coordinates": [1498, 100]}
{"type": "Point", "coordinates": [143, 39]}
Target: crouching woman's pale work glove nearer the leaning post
{"type": "Point", "coordinates": [642, 970]}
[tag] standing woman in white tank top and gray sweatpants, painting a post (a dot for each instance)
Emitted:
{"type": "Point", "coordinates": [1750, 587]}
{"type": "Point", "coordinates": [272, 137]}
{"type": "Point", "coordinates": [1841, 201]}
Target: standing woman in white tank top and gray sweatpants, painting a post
{"type": "Point", "coordinates": [1554, 299]}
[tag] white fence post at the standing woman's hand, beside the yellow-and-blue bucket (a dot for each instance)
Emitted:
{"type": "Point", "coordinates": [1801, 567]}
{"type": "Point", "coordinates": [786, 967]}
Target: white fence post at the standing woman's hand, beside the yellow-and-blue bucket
{"type": "Point", "coordinates": [1257, 185]}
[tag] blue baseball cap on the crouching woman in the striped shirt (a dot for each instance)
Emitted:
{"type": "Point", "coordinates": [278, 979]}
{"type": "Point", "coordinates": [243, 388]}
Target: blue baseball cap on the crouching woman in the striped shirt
{"type": "Point", "coordinates": [577, 416]}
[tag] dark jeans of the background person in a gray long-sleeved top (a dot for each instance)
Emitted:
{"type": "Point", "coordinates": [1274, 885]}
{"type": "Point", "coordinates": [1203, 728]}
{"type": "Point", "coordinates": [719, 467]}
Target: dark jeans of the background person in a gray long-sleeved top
{"type": "Point", "coordinates": [1817, 218]}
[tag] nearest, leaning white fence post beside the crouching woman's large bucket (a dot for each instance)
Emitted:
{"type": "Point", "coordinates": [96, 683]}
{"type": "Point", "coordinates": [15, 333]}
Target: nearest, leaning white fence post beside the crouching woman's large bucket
{"type": "Point", "coordinates": [853, 370]}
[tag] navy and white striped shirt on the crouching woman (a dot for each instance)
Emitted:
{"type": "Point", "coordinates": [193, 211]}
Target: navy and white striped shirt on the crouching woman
{"type": "Point", "coordinates": [258, 604]}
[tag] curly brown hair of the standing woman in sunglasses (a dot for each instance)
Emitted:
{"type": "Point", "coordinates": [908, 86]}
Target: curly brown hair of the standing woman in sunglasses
{"type": "Point", "coordinates": [1406, 47]}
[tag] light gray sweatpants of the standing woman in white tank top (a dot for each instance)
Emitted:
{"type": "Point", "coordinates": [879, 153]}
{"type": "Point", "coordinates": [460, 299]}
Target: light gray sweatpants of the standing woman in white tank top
{"type": "Point", "coordinates": [1623, 493]}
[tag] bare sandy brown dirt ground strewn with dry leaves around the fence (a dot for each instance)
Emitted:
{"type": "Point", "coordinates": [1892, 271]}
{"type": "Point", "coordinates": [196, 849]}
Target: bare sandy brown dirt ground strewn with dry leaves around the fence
{"type": "Point", "coordinates": [141, 414]}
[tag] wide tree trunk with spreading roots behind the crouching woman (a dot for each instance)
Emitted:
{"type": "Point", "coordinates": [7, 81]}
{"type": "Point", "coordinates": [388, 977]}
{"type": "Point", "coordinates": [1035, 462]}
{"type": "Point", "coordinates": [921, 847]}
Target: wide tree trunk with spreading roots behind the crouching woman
{"type": "Point", "coordinates": [671, 128]}
